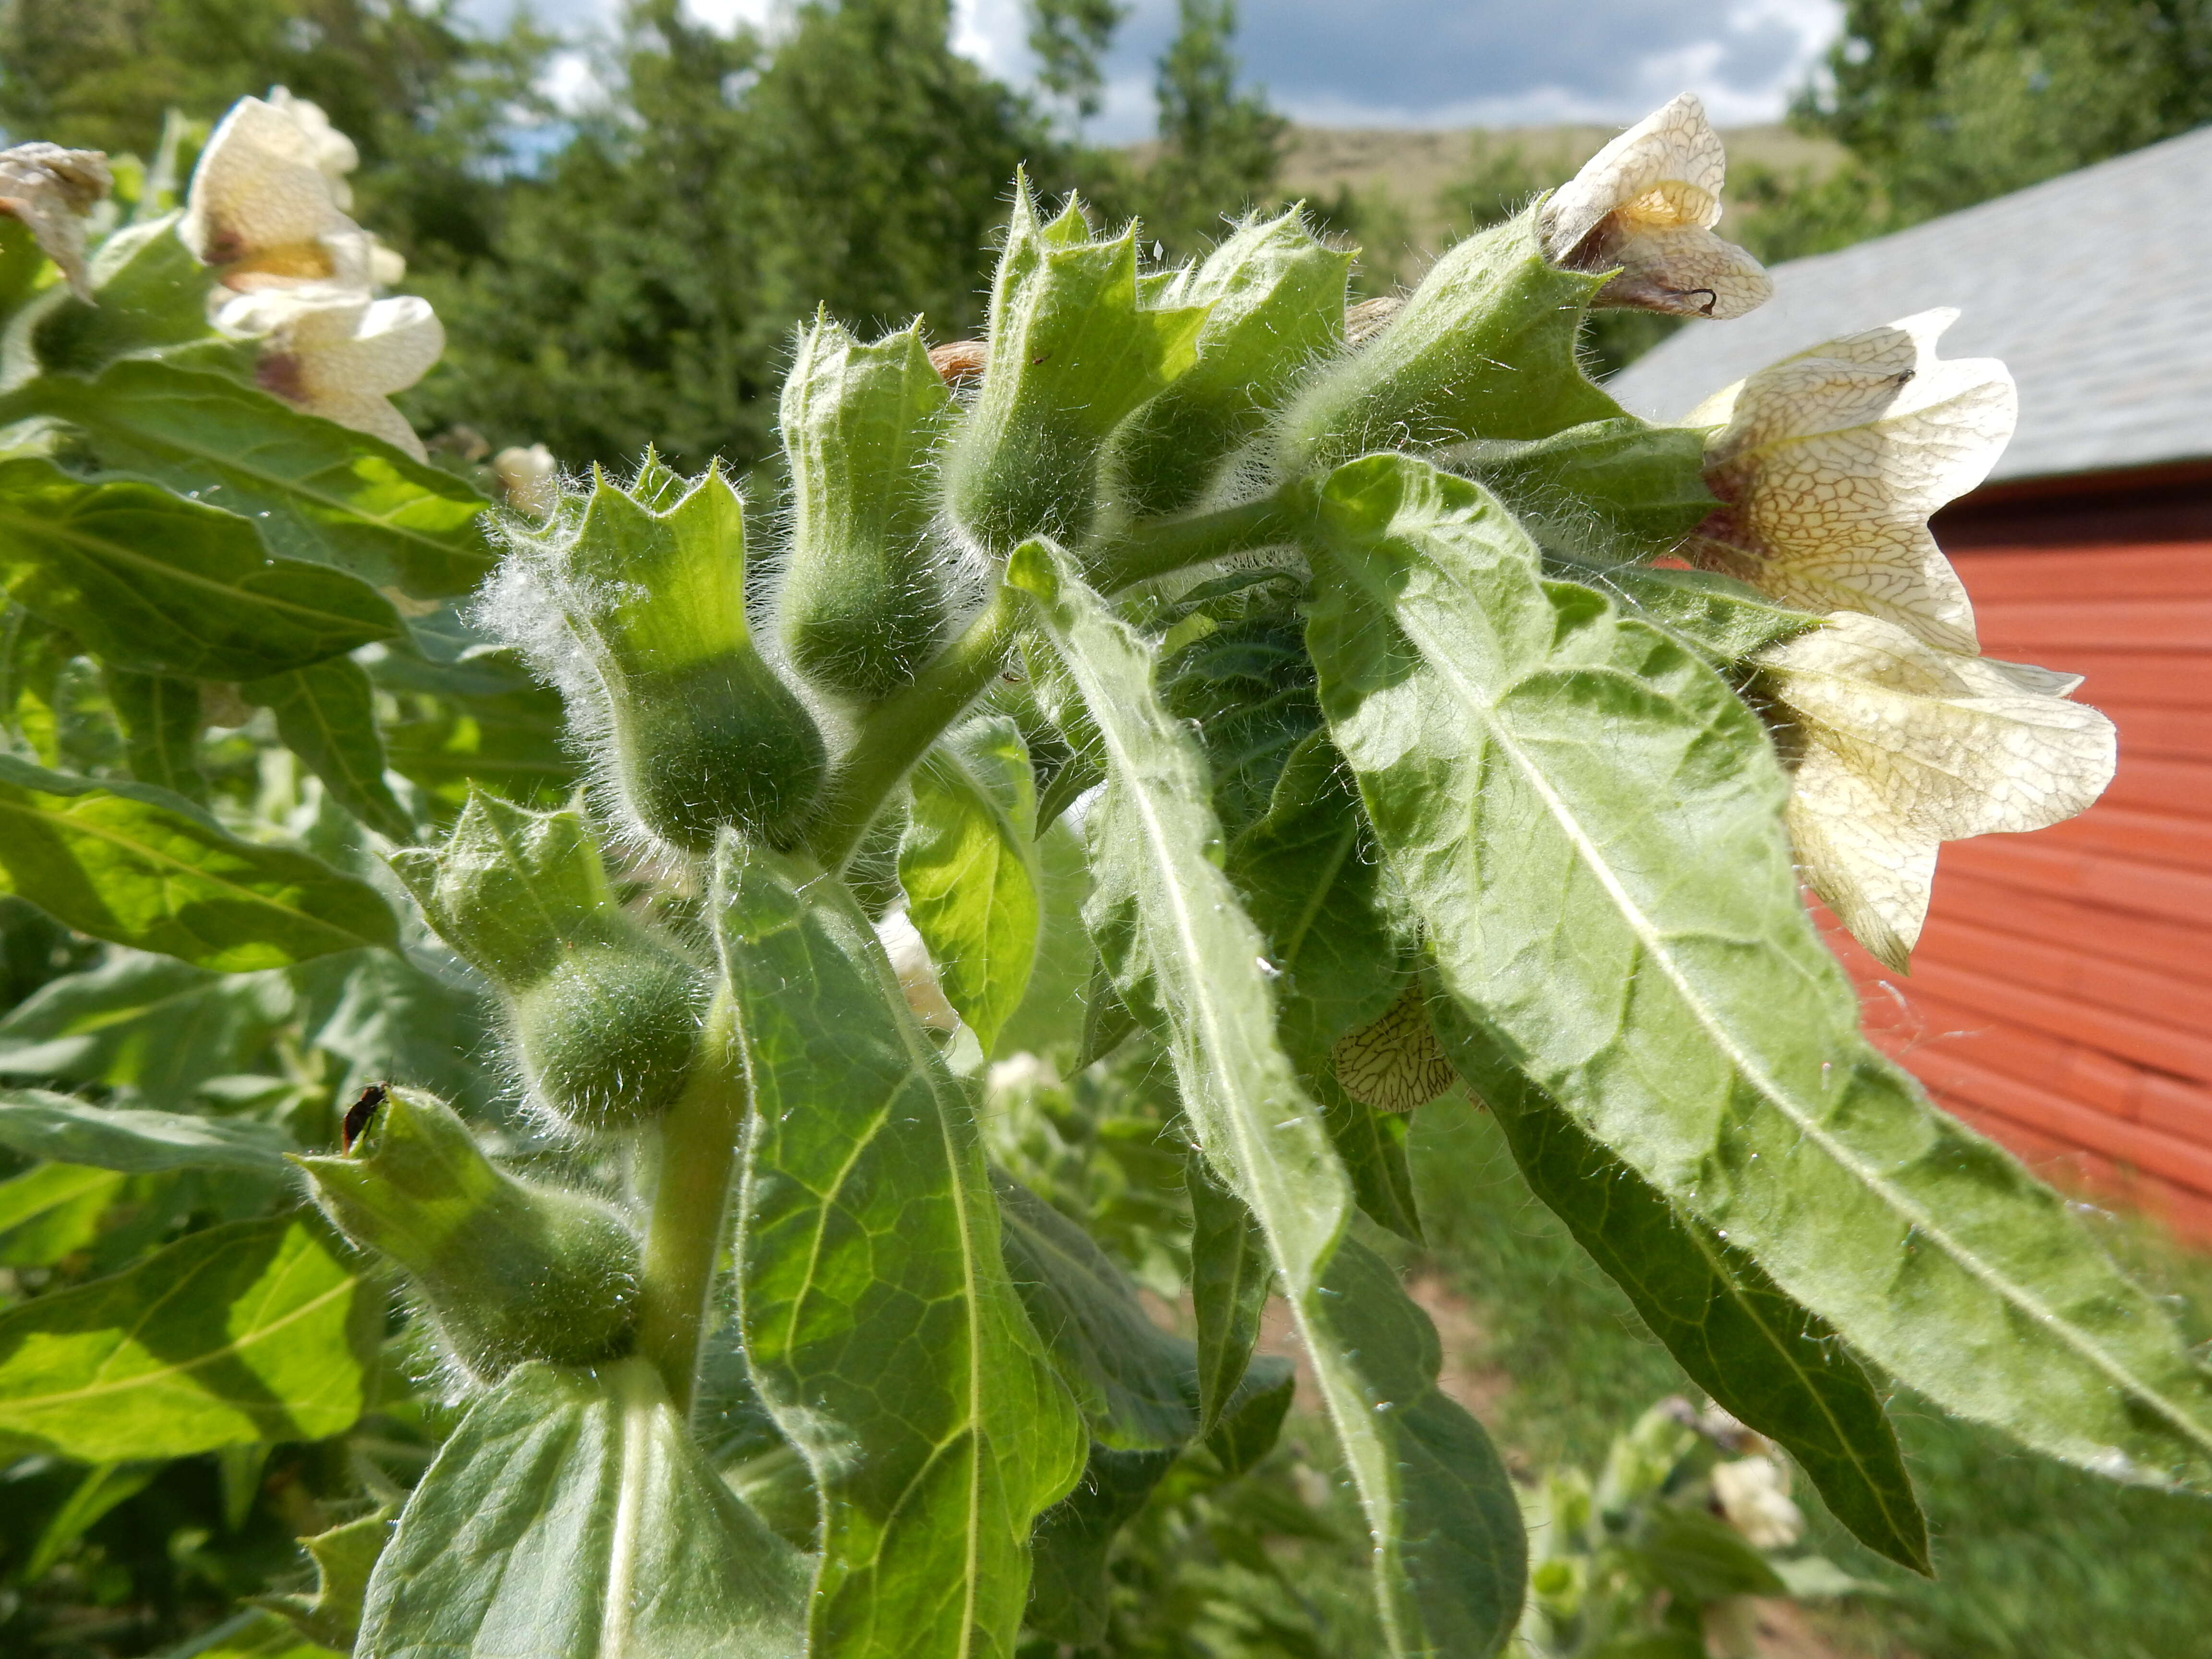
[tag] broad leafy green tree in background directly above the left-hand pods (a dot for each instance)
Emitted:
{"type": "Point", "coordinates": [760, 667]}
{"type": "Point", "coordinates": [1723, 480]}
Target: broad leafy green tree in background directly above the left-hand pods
{"type": "Point", "coordinates": [645, 286]}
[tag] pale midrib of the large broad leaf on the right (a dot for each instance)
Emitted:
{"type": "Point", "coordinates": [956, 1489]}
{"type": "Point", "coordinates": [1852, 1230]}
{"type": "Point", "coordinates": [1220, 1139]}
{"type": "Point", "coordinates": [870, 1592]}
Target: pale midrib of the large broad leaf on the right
{"type": "Point", "coordinates": [1653, 943]}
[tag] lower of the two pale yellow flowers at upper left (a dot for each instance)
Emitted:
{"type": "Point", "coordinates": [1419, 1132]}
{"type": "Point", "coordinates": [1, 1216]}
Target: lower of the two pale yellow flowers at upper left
{"type": "Point", "coordinates": [342, 355]}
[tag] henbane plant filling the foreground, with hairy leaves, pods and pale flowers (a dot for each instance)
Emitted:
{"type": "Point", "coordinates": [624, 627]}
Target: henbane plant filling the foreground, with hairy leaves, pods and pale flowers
{"type": "Point", "coordinates": [1346, 722]}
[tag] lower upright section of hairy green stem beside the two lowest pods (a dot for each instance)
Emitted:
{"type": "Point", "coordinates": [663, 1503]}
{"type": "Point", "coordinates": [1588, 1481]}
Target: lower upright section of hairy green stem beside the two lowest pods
{"type": "Point", "coordinates": [689, 1207]}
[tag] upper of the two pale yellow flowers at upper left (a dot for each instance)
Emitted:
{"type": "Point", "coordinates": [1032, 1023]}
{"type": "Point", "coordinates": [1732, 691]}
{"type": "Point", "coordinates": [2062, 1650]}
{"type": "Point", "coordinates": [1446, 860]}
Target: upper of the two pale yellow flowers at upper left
{"type": "Point", "coordinates": [269, 202]}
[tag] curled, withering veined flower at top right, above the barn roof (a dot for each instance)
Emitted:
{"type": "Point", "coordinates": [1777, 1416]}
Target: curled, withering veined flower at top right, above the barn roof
{"type": "Point", "coordinates": [1647, 207]}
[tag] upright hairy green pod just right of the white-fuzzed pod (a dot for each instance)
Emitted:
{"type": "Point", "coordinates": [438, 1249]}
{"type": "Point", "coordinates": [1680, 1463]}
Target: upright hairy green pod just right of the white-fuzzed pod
{"type": "Point", "coordinates": [862, 605]}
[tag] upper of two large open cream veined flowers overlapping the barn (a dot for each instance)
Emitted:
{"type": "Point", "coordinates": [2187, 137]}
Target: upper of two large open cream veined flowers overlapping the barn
{"type": "Point", "coordinates": [1833, 461]}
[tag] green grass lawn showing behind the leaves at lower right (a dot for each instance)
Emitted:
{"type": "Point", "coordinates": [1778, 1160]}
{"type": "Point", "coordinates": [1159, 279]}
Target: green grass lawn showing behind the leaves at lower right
{"type": "Point", "coordinates": [2034, 1561]}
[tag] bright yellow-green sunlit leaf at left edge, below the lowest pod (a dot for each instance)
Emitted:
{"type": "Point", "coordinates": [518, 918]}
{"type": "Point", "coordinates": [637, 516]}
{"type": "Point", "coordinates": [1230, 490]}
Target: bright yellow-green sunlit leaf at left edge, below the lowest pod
{"type": "Point", "coordinates": [253, 1331]}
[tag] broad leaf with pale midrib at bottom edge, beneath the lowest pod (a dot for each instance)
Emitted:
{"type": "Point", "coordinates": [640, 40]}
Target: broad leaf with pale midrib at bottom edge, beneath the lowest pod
{"type": "Point", "coordinates": [570, 1516]}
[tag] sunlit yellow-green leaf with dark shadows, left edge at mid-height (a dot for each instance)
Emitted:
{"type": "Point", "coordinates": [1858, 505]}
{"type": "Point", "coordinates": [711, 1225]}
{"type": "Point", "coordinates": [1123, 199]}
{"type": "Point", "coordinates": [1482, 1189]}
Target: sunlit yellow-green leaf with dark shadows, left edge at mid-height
{"type": "Point", "coordinates": [145, 868]}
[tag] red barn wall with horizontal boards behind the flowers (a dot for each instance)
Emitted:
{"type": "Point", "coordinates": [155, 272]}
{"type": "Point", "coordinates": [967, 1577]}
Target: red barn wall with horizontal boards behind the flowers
{"type": "Point", "coordinates": [2063, 992]}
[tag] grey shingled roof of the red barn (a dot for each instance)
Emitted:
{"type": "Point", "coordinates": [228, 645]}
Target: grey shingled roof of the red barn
{"type": "Point", "coordinates": [2096, 289]}
